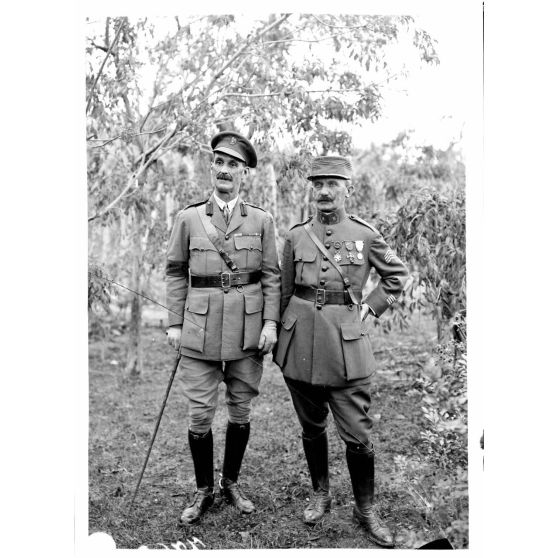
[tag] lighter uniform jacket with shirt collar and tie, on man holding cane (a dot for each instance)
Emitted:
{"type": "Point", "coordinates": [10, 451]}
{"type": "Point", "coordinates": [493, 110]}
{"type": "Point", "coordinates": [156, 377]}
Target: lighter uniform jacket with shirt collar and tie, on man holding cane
{"type": "Point", "coordinates": [219, 325]}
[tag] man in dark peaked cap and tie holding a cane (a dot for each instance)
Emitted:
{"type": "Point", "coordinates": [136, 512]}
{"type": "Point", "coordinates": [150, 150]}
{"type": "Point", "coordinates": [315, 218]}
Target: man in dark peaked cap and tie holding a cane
{"type": "Point", "coordinates": [223, 292]}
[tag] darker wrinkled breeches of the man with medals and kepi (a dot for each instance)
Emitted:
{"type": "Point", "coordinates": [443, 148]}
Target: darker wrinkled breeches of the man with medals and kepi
{"type": "Point", "coordinates": [349, 406]}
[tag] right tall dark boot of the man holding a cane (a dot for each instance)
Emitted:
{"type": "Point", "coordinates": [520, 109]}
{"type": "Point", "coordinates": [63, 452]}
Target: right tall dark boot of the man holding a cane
{"type": "Point", "coordinates": [235, 444]}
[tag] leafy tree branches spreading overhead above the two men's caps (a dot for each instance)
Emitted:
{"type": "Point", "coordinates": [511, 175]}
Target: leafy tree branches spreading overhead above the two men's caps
{"type": "Point", "coordinates": [281, 76]}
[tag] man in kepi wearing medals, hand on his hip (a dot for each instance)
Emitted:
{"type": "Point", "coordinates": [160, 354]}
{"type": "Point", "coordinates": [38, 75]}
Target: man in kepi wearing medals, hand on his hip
{"type": "Point", "coordinates": [324, 346]}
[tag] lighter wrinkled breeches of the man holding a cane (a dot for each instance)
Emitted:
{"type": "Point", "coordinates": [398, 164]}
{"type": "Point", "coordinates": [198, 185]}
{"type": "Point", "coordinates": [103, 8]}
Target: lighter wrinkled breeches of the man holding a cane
{"type": "Point", "coordinates": [200, 381]}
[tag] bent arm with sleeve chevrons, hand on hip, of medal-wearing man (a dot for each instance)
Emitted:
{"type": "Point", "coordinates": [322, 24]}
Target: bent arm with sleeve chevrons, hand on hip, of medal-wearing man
{"type": "Point", "coordinates": [393, 275]}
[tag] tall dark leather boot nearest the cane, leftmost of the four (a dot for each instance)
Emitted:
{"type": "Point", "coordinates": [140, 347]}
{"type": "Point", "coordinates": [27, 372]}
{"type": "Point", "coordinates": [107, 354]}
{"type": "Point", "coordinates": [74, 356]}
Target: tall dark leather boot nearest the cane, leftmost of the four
{"type": "Point", "coordinates": [201, 447]}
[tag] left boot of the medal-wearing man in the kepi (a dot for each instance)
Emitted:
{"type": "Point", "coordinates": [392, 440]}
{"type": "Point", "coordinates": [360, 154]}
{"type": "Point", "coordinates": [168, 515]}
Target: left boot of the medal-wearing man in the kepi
{"type": "Point", "coordinates": [315, 450]}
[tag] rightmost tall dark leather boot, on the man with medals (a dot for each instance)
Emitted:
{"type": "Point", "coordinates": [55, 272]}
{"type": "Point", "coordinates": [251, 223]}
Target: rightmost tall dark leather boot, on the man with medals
{"type": "Point", "coordinates": [360, 462]}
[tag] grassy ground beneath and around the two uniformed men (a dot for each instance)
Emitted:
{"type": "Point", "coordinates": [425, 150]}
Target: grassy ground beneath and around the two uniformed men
{"type": "Point", "coordinates": [123, 412]}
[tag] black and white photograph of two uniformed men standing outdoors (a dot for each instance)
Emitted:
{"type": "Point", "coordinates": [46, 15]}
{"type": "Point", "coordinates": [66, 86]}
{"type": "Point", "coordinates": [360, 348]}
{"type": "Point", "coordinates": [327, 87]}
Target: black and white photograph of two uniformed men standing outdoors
{"type": "Point", "coordinates": [277, 279]}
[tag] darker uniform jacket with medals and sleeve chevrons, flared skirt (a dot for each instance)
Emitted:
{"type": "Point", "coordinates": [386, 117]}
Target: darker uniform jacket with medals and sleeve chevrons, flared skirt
{"type": "Point", "coordinates": [331, 346]}
